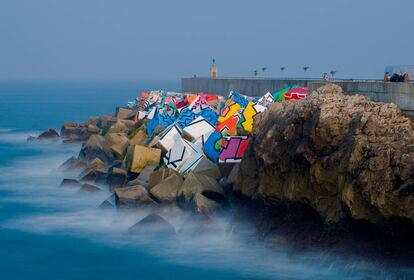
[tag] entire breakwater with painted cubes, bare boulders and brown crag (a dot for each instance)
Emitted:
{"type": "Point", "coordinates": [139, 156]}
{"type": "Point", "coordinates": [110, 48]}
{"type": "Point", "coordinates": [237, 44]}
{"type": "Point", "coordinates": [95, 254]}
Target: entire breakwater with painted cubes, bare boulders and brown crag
{"type": "Point", "coordinates": [321, 169]}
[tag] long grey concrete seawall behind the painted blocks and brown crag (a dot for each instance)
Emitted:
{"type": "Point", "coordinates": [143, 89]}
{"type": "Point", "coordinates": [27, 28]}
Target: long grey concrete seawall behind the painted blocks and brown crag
{"type": "Point", "coordinates": [401, 94]}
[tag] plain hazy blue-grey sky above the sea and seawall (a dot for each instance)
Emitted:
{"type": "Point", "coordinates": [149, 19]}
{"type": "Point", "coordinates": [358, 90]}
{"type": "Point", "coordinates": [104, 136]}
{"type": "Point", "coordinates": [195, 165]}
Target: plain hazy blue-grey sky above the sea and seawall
{"type": "Point", "coordinates": [166, 40]}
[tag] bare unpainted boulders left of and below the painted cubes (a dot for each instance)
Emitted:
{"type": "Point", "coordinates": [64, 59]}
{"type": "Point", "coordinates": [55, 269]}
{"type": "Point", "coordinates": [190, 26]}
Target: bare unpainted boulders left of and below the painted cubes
{"type": "Point", "coordinates": [118, 156]}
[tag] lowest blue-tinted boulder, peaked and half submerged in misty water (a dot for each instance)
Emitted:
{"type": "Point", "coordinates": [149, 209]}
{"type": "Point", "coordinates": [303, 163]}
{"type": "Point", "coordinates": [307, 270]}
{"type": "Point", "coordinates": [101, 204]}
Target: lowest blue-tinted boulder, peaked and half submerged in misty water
{"type": "Point", "coordinates": [153, 224]}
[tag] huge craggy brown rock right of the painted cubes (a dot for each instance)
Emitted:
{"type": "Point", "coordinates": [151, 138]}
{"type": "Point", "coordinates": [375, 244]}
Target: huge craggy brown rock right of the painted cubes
{"type": "Point", "coordinates": [344, 156]}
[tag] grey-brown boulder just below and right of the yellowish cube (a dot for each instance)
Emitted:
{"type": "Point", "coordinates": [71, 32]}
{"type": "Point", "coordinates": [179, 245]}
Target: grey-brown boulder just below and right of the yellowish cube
{"type": "Point", "coordinates": [166, 191]}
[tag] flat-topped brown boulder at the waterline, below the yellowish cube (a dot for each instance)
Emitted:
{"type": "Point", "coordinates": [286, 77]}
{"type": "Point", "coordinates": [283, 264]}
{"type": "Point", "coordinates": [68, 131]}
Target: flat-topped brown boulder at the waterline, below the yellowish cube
{"type": "Point", "coordinates": [133, 197]}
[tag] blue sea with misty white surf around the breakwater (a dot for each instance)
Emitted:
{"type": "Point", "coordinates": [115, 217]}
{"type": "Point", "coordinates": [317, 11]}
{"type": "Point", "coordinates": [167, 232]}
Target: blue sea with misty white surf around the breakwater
{"type": "Point", "coordinates": [47, 232]}
